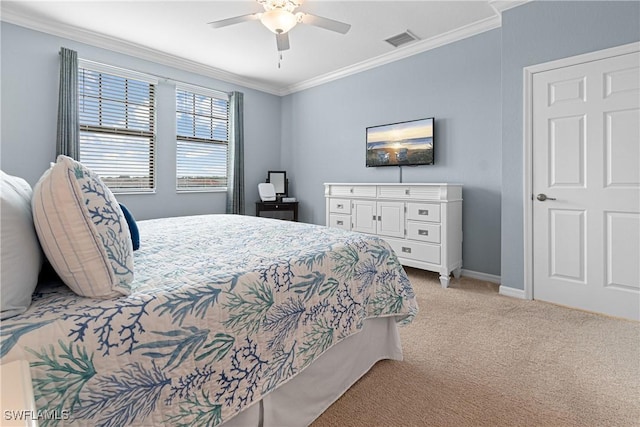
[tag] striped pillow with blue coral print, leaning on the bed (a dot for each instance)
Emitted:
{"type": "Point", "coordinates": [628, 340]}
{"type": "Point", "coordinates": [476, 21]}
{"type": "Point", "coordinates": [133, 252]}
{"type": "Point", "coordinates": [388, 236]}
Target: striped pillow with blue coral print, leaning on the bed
{"type": "Point", "coordinates": [83, 231]}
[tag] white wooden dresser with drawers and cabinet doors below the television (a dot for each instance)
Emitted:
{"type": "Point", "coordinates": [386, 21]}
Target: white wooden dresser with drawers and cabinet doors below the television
{"type": "Point", "coordinates": [421, 222]}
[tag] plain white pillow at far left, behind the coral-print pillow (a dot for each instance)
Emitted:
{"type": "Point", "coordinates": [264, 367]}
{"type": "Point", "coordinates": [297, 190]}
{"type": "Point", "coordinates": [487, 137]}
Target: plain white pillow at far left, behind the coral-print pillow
{"type": "Point", "coordinates": [19, 247]}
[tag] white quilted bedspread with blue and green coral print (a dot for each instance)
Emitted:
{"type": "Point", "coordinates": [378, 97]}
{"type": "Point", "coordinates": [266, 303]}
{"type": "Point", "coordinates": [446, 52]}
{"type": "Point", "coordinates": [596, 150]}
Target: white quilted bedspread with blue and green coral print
{"type": "Point", "coordinates": [223, 309]}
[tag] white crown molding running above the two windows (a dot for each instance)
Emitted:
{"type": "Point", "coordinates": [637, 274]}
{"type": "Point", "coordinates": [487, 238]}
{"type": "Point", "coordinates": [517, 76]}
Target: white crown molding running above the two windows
{"type": "Point", "coordinates": [128, 48]}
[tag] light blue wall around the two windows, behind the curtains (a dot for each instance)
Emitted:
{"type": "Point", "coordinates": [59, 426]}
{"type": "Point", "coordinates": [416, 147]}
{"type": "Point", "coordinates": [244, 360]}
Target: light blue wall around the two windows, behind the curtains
{"type": "Point", "coordinates": [29, 85]}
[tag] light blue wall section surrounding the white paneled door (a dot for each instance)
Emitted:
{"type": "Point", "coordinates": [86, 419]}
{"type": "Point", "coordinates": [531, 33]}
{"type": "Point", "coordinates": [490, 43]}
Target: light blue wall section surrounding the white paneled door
{"type": "Point", "coordinates": [535, 33]}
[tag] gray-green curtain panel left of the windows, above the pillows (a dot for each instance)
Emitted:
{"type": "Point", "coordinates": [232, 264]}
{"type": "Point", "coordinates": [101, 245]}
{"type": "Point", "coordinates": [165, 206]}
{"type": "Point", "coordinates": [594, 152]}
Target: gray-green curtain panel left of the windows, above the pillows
{"type": "Point", "coordinates": [67, 137]}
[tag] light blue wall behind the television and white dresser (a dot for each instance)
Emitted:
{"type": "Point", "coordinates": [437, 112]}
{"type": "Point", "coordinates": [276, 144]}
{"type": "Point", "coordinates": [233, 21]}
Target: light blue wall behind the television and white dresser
{"type": "Point", "coordinates": [323, 138]}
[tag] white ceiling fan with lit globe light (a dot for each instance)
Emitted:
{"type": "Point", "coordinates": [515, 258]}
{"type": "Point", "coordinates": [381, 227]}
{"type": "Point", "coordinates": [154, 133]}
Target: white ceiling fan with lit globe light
{"type": "Point", "coordinates": [279, 17]}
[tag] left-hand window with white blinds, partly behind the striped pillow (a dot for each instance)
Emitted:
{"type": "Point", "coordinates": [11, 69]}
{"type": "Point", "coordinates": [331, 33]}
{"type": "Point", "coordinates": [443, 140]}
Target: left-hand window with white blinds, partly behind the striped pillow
{"type": "Point", "coordinates": [117, 126]}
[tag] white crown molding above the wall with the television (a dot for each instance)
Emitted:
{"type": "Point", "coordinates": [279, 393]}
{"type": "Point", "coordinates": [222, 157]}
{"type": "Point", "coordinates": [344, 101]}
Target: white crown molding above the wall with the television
{"type": "Point", "coordinates": [403, 52]}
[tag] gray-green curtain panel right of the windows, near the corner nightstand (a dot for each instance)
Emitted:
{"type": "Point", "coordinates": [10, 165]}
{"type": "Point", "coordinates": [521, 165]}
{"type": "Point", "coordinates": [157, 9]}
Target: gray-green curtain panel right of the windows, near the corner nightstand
{"type": "Point", "coordinates": [235, 159]}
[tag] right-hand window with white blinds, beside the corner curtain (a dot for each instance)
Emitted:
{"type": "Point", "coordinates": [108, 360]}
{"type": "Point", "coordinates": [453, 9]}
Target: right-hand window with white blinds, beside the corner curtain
{"type": "Point", "coordinates": [202, 118]}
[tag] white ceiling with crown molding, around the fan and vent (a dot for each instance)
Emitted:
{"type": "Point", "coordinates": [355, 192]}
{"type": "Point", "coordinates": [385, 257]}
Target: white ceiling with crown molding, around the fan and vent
{"type": "Point", "coordinates": [175, 32]}
